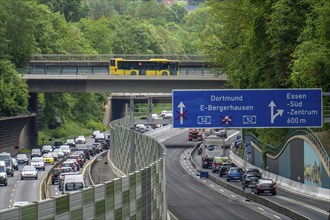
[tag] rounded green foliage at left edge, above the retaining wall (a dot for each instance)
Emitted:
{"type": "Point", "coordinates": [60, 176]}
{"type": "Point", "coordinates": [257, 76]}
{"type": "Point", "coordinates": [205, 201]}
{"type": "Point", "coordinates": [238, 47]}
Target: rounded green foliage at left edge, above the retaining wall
{"type": "Point", "coordinates": [13, 91]}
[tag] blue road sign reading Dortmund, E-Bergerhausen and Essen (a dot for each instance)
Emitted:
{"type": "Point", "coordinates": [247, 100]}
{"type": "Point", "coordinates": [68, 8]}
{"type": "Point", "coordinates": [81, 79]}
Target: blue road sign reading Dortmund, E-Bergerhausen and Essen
{"type": "Point", "coordinates": [261, 108]}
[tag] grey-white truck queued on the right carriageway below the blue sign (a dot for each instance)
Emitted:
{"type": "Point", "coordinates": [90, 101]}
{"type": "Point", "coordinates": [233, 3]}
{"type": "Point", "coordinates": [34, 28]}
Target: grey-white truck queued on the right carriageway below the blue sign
{"type": "Point", "coordinates": [211, 148]}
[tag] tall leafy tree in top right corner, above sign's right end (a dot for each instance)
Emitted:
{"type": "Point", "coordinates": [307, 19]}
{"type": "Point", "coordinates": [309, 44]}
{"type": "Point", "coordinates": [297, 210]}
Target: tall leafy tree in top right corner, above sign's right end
{"type": "Point", "coordinates": [311, 58]}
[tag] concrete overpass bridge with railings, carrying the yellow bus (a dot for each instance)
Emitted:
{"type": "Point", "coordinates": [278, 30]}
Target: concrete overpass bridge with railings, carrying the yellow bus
{"type": "Point", "coordinates": [89, 73]}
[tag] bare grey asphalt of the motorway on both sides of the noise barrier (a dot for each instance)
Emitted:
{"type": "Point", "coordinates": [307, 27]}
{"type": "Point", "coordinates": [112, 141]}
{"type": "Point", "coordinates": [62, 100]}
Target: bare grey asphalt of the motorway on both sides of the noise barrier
{"type": "Point", "coordinates": [188, 196]}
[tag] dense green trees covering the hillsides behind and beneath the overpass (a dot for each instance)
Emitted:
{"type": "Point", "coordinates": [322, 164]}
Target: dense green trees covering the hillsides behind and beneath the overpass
{"type": "Point", "coordinates": [258, 44]}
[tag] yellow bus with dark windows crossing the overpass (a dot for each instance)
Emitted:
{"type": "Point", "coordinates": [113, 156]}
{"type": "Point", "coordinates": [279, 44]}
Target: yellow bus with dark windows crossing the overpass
{"type": "Point", "coordinates": [152, 67]}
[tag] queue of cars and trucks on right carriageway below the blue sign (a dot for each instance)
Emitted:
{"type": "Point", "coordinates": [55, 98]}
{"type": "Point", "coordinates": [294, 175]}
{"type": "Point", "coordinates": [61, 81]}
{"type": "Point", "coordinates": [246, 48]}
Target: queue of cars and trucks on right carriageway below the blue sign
{"type": "Point", "coordinates": [213, 157]}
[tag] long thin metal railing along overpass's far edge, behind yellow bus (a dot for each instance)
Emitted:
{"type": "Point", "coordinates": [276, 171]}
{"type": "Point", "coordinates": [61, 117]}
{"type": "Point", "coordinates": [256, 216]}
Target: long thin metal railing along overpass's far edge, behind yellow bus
{"type": "Point", "coordinates": [106, 57]}
